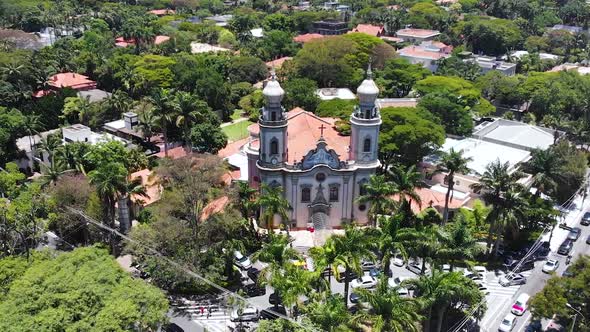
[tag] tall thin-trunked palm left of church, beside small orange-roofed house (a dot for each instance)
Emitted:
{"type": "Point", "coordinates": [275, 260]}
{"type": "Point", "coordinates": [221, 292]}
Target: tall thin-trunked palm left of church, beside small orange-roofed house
{"type": "Point", "coordinates": [109, 180]}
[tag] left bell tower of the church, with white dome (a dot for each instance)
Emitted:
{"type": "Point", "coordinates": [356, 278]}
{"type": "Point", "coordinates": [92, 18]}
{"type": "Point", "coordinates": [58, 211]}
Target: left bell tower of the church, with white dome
{"type": "Point", "coordinates": [273, 126]}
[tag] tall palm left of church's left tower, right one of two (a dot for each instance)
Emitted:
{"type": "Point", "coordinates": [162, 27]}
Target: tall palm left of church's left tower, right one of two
{"type": "Point", "coordinates": [190, 109]}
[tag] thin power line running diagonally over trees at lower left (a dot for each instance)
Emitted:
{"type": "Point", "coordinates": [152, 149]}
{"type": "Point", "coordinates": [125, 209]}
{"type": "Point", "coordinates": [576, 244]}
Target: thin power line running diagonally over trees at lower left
{"type": "Point", "coordinates": [180, 267]}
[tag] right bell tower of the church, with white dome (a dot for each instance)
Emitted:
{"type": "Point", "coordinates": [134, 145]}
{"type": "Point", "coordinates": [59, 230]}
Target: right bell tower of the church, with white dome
{"type": "Point", "coordinates": [365, 122]}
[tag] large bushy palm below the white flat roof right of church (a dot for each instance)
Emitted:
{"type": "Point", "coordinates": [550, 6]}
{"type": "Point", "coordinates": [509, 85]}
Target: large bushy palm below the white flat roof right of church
{"type": "Point", "coordinates": [495, 182]}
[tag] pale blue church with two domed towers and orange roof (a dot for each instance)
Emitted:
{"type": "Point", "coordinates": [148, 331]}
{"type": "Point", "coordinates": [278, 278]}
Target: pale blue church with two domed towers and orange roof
{"type": "Point", "coordinates": [321, 172]}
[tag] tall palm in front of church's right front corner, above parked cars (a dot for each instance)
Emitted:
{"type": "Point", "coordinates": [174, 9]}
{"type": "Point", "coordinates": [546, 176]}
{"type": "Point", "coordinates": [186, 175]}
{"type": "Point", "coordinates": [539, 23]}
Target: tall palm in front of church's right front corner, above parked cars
{"type": "Point", "coordinates": [351, 248]}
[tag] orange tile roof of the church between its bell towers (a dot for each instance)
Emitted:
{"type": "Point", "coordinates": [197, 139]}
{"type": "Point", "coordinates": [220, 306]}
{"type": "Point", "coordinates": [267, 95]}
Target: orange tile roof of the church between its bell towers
{"type": "Point", "coordinates": [303, 132]}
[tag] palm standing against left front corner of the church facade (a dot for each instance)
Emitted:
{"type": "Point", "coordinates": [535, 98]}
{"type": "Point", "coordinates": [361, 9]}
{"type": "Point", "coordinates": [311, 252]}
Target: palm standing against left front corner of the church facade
{"type": "Point", "coordinates": [273, 203]}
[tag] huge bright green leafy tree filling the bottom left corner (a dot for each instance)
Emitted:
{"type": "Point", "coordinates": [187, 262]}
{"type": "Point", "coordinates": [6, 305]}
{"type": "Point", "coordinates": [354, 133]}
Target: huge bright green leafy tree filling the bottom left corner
{"type": "Point", "coordinates": [87, 290]}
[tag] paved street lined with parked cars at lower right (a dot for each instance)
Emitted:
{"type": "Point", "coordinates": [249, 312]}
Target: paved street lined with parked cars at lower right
{"type": "Point", "coordinates": [499, 304]}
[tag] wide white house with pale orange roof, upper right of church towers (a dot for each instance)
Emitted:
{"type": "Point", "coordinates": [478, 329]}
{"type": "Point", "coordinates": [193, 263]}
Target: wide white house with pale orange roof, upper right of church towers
{"type": "Point", "coordinates": [427, 54]}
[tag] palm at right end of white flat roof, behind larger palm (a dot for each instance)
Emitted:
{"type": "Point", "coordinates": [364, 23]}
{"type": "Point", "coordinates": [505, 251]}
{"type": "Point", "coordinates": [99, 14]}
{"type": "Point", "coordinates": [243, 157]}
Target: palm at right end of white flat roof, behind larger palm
{"type": "Point", "coordinates": [545, 168]}
